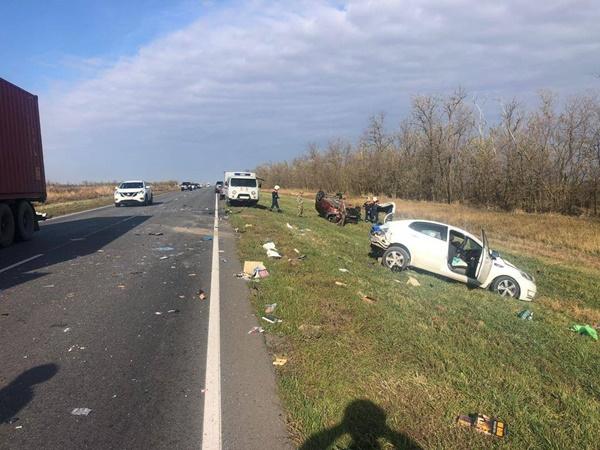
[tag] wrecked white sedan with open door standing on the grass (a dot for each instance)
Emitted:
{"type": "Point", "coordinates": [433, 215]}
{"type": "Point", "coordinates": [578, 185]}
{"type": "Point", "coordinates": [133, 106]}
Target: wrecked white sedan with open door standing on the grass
{"type": "Point", "coordinates": [451, 252]}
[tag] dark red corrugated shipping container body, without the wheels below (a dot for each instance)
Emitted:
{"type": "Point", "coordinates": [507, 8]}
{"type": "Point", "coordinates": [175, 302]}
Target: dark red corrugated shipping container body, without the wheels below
{"type": "Point", "coordinates": [21, 158]}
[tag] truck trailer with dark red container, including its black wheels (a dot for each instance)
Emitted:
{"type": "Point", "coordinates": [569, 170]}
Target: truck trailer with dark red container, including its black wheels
{"type": "Point", "coordinates": [22, 177]}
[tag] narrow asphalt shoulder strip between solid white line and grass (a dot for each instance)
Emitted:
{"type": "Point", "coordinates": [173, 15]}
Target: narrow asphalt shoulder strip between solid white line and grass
{"type": "Point", "coordinates": [252, 414]}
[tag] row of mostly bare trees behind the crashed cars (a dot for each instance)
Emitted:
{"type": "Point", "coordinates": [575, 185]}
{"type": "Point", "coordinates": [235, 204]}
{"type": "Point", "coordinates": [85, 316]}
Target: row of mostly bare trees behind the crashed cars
{"type": "Point", "coordinates": [544, 159]}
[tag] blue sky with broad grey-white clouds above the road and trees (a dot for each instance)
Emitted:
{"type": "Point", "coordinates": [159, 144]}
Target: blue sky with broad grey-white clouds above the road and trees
{"type": "Point", "coordinates": [185, 89]}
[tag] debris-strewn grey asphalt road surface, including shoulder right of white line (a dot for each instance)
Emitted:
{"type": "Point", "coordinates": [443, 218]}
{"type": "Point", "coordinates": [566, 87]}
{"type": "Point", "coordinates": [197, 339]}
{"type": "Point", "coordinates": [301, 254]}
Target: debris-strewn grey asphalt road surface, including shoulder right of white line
{"type": "Point", "coordinates": [97, 313]}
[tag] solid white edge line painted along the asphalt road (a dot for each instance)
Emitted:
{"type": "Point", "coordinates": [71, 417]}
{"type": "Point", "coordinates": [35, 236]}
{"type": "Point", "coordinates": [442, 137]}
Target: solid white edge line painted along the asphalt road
{"type": "Point", "coordinates": [211, 428]}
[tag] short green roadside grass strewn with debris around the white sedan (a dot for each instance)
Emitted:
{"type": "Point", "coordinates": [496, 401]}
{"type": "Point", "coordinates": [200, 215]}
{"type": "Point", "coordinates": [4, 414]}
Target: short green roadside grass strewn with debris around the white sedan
{"type": "Point", "coordinates": [421, 354]}
